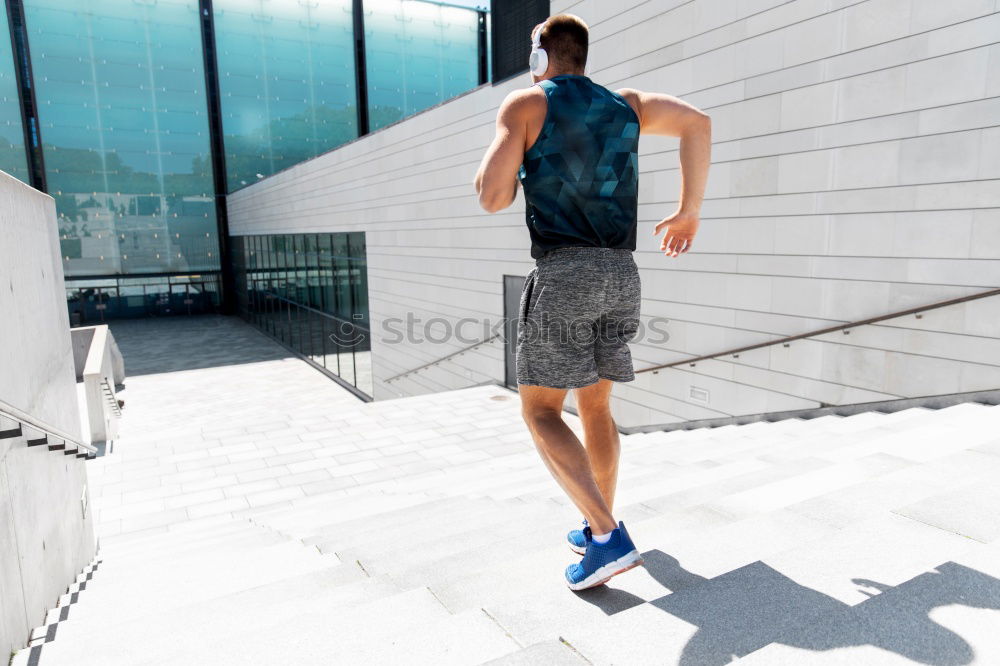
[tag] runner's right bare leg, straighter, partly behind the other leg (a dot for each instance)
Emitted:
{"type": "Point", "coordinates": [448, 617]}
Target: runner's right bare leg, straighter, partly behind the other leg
{"type": "Point", "coordinates": [600, 436]}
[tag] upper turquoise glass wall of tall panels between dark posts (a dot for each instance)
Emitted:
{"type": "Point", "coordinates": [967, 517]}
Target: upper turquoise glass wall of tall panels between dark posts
{"type": "Point", "coordinates": [123, 114]}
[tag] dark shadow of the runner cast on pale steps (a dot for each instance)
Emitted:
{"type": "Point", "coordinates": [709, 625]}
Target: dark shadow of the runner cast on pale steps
{"type": "Point", "coordinates": [745, 609]}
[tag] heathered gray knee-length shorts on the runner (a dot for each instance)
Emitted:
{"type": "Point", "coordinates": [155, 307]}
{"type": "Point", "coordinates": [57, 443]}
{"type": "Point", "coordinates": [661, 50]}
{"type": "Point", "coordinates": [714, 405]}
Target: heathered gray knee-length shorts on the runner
{"type": "Point", "coordinates": [579, 309]}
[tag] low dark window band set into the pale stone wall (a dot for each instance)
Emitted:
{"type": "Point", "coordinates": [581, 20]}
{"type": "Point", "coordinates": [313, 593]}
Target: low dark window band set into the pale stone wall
{"type": "Point", "coordinates": [310, 292]}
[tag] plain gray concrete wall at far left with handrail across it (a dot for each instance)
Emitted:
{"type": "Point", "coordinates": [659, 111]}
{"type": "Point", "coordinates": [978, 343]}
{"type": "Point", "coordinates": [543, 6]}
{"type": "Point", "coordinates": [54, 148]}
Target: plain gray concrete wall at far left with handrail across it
{"type": "Point", "coordinates": [45, 540]}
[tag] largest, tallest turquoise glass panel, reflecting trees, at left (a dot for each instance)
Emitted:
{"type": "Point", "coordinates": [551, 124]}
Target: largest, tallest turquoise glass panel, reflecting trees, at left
{"type": "Point", "coordinates": [123, 120]}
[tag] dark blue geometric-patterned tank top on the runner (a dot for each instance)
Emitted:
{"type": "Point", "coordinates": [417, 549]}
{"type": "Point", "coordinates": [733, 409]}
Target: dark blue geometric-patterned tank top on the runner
{"type": "Point", "coordinates": [580, 177]}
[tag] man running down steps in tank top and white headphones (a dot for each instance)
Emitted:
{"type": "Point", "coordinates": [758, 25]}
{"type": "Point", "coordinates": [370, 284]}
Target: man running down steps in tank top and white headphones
{"type": "Point", "coordinates": [572, 145]}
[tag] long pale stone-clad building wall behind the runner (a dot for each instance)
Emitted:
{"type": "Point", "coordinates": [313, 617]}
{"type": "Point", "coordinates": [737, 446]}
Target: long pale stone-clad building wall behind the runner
{"type": "Point", "coordinates": [854, 175]}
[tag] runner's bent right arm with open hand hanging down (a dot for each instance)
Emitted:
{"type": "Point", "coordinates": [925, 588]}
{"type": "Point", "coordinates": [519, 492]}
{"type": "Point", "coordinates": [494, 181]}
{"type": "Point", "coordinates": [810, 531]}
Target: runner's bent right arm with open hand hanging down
{"type": "Point", "coordinates": [664, 114]}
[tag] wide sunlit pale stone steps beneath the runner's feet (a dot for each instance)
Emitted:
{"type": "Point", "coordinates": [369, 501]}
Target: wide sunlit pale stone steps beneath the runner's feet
{"type": "Point", "coordinates": [872, 538]}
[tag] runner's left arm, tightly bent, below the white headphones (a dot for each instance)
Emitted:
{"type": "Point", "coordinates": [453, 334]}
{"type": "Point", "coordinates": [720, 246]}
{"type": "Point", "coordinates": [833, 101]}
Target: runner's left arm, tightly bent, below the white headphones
{"type": "Point", "coordinates": [496, 180]}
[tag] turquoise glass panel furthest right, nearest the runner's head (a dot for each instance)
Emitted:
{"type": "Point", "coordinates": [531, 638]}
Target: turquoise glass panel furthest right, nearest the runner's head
{"type": "Point", "coordinates": [418, 54]}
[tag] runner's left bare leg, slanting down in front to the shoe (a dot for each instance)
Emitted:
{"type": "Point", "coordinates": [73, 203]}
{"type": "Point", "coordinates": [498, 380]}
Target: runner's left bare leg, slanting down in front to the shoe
{"type": "Point", "coordinates": [563, 453]}
